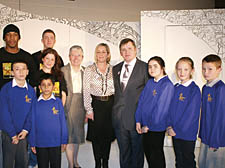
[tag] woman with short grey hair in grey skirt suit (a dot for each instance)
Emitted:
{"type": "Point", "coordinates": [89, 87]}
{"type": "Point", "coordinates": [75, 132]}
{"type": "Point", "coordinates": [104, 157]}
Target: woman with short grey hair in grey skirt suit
{"type": "Point", "coordinates": [74, 107]}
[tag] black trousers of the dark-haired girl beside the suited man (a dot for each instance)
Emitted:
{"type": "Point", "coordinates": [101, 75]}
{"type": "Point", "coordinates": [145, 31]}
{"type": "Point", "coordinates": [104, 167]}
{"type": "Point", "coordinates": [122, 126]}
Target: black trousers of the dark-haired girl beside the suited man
{"type": "Point", "coordinates": [153, 148]}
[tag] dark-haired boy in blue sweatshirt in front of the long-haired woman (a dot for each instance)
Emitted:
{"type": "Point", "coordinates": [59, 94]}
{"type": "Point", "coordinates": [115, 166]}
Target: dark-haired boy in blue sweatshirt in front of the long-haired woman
{"type": "Point", "coordinates": [49, 130]}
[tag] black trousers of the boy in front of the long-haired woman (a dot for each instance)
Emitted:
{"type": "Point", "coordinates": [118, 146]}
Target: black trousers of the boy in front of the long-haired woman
{"type": "Point", "coordinates": [46, 156]}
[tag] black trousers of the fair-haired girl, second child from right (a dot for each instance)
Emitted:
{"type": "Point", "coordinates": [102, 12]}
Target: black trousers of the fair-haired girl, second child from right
{"type": "Point", "coordinates": [184, 153]}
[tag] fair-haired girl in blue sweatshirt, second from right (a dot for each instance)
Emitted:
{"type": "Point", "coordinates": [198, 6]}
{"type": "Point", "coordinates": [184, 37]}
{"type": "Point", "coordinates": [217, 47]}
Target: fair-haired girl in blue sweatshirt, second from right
{"type": "Point", "coordinates": [184, 114]}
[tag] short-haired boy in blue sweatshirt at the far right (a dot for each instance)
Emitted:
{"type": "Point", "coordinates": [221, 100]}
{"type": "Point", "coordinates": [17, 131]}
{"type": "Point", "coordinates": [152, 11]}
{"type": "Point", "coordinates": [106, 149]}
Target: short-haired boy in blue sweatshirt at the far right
{"type": "Point", "coordinates": [212, 127]}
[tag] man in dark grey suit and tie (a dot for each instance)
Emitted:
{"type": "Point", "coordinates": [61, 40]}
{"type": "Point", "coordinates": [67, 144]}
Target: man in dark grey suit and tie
{"type": "Point", "coordinates": [130, 77]}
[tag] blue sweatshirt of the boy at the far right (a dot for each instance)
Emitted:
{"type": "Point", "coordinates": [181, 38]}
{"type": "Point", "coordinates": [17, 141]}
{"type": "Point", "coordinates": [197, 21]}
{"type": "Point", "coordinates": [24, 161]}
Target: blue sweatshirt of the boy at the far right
{"type": "Point", "coordinates": [212, 124]}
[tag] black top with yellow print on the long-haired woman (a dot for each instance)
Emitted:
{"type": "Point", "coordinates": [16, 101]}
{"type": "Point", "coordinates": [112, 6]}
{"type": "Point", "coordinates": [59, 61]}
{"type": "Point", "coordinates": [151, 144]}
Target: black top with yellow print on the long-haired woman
{"type": "Point", "coordinates": [60, 85]}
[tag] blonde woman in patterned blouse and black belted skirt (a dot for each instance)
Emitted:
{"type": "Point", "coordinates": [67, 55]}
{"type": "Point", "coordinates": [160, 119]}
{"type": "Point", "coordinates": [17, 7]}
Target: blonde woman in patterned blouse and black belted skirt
{"type": "Point", "coordinates": [98, 102]}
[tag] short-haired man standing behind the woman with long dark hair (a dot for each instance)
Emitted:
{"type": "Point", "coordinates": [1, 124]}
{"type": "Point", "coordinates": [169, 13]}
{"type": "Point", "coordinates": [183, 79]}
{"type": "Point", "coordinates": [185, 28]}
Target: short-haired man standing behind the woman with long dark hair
{"type": "Point", "coordinates": [48, 40]}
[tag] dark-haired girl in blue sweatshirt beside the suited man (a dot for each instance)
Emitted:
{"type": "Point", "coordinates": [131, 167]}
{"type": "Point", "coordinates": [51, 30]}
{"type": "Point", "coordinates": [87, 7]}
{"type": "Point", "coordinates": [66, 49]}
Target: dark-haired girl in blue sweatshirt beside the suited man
{"type": "Point", "coordinates": [152, 112]}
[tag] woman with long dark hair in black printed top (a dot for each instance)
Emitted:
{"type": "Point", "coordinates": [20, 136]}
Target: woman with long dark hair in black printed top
{"type": "Point", "coordinates": [50, 64]}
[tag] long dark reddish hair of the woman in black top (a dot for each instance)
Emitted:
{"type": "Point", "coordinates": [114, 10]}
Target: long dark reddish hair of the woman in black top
{"type": "Point", "coordinates": [55, 71]}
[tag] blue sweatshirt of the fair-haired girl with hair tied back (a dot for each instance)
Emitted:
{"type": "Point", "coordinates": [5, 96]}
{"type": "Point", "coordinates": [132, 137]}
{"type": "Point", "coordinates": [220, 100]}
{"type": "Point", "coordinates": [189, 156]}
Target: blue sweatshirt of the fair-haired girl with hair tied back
{"type": "Point", "coordinates": [185, 111]}
